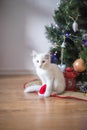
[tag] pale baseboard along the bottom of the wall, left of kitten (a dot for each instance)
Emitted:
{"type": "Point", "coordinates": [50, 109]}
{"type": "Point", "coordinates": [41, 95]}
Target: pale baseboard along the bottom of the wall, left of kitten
{"type": "Point", "coordinates": [16, 72]}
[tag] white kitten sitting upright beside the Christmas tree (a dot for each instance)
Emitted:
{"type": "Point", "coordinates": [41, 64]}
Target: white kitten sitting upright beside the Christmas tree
{"type": "Point", "coordinates": [49, 74]}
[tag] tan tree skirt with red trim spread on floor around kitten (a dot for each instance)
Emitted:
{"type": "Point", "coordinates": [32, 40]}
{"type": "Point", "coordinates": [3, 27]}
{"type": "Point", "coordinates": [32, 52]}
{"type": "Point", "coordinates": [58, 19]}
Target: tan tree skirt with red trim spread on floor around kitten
{"type": "Point", "coordinates": [66, 95]}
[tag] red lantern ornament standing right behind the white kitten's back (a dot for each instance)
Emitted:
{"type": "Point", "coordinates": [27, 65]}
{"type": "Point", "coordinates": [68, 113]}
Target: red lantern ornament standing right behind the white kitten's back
{"type": "Point", "coordinates": [70, 76]}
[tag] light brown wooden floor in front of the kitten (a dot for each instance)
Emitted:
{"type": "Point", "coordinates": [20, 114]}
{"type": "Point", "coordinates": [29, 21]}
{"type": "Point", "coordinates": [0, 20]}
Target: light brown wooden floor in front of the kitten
{"type": "Point", "coordinates": [20, 111]}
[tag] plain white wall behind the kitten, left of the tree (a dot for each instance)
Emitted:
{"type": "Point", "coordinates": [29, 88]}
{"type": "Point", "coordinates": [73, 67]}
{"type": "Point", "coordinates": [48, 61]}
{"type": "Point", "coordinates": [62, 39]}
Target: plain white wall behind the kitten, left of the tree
{"type": "Point", "coordinates": [21, 31]}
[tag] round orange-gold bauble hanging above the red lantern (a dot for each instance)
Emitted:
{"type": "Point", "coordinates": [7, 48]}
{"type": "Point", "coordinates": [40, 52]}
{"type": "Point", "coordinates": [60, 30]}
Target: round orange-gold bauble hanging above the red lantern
{"type": "Point", "coordinates": [79, 65]}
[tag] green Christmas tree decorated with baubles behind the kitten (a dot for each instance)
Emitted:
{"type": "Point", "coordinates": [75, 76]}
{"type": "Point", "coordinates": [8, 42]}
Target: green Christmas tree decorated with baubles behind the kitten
{"type": "Point", "coordinates": [68, 35]}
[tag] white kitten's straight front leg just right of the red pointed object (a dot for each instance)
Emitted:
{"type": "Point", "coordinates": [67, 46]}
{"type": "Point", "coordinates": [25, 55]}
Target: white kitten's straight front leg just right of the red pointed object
{"type": "Point", "coordinates": [48, 88]}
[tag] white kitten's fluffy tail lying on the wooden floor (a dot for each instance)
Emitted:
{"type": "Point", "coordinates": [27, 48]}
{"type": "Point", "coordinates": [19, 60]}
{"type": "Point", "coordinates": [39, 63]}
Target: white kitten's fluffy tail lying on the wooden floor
{"type": "Point", "coordinates": [32, 88]}
